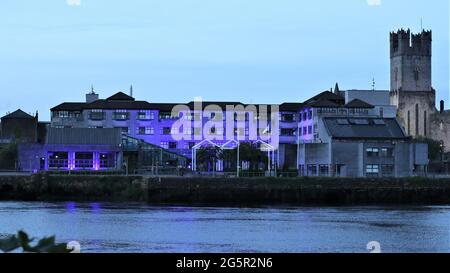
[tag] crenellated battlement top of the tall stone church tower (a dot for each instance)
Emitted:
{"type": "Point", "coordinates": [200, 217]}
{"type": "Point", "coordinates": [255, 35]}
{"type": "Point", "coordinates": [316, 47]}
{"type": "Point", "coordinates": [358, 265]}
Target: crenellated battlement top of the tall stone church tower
{"type": "Point", "coordinates": [403, 42]}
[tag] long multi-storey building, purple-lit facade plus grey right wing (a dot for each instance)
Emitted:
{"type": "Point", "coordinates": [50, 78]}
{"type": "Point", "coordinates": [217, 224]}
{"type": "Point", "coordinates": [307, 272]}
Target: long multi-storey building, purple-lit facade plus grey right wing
{"type": "Point", "coordinates": [313, 135]}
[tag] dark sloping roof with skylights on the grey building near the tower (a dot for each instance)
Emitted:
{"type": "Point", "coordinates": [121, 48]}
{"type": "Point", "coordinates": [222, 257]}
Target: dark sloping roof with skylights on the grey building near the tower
{"type": "Point", "coordinates": [364, 128]}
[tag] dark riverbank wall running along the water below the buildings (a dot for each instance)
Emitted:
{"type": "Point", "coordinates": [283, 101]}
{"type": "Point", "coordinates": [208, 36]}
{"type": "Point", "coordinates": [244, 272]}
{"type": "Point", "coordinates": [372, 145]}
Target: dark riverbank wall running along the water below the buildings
{"type": "Point", "coordinates": [227, 191]}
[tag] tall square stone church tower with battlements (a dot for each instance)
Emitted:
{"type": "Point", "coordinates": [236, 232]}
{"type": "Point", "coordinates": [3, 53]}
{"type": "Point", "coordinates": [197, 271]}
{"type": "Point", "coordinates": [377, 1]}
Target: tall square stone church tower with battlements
{"type": "Point", "coordinates": [411, 85]}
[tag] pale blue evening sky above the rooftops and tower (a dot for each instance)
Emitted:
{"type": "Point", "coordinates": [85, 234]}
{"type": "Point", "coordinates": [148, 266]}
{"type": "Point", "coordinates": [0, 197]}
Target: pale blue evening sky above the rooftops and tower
{"type": "Point", "coordinates": [254, 51]}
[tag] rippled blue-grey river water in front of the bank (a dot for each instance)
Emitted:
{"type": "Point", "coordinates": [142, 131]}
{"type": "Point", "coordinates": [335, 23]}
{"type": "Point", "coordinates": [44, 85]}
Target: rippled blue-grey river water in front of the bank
{"type": "Point", "coordinates": [103, 227]}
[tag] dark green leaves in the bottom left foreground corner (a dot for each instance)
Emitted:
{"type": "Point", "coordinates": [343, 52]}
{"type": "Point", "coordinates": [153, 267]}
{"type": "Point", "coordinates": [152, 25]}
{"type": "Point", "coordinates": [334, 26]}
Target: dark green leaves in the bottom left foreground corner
{"type": "Point", "coordinates": [22, 241]}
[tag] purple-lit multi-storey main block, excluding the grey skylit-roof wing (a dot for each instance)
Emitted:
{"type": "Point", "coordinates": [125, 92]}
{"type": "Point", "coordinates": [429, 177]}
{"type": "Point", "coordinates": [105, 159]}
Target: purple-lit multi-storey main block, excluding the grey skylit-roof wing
{"type": "Point", "coordinates": [153, 123]}
